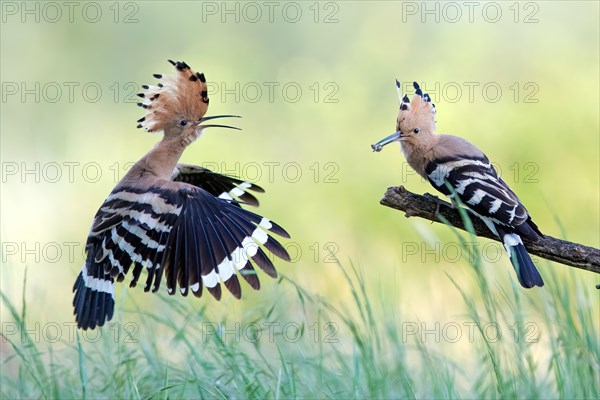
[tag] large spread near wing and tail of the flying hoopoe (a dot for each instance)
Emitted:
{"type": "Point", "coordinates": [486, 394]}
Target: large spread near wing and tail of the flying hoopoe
{"type": "Point", "coordinates": [178, 231]}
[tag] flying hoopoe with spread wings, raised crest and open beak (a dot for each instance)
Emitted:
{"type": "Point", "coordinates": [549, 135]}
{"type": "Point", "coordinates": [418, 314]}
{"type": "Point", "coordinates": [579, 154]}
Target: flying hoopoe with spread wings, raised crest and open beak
{"type": "Point", "coordinates": [178, 220]}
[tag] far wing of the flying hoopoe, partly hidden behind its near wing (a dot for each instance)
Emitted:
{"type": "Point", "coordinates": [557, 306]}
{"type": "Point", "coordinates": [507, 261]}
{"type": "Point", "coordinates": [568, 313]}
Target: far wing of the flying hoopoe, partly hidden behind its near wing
{"type": "Point", "coordinates": [222, 186]}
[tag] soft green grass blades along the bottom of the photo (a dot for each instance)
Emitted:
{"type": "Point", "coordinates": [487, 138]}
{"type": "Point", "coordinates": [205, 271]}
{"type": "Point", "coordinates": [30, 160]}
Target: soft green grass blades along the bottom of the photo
{"type": "Point", "coordinates": [303, 345]}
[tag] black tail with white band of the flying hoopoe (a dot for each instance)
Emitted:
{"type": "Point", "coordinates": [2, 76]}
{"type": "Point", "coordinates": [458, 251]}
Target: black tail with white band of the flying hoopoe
{"type": "Point", "coordinates": [94, 301]}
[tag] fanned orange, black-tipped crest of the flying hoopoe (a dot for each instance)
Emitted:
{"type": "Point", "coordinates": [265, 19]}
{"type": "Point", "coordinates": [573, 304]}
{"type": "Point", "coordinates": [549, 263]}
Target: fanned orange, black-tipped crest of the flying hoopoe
{"type": "Point", "coordinates": [182, 95]}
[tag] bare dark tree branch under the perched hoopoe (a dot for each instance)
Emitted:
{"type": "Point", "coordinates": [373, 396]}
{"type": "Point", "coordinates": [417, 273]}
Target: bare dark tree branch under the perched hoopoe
{"type": "Point", "coordinates": [426, 206]}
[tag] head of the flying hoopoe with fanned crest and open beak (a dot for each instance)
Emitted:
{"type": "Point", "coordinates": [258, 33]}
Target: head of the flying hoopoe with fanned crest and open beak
{"type": "Point", "coordinates": [177, 104]}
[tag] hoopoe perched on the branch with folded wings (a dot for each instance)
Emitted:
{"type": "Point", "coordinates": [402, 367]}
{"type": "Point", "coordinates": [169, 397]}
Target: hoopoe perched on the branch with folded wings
{"type": "Point", "coordinates": [450, 160]}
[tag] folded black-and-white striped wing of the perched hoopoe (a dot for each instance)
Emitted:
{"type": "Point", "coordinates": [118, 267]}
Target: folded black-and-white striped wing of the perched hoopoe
{"type": "Point", "coordinates": [479, 187]}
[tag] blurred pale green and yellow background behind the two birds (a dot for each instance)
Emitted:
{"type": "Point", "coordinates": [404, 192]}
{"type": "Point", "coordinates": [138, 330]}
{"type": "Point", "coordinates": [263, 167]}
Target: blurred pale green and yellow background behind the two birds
{"type": "Point", "coordinates": [541, 130]}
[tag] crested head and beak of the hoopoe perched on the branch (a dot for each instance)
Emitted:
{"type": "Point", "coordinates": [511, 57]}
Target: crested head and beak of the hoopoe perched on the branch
{"type": "Point", "coordinates": [416, 119]}
